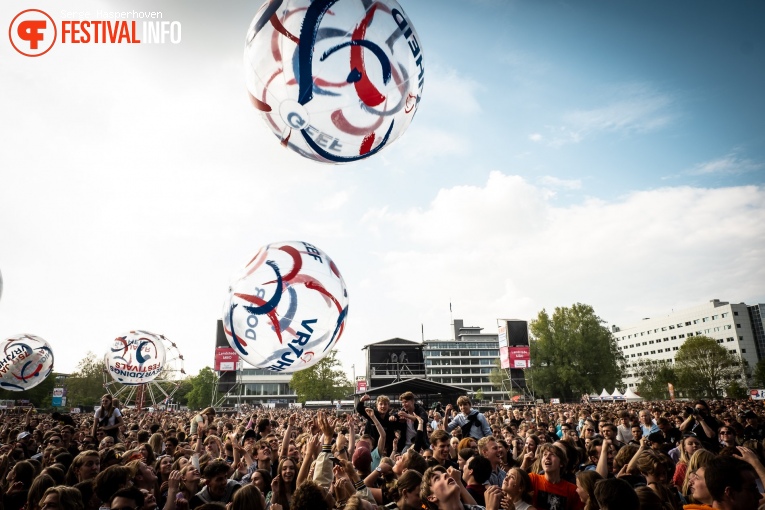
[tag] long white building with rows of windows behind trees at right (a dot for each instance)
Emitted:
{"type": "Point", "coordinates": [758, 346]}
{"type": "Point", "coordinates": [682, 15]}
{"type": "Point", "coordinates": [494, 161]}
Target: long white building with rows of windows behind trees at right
{"type": "Point", "coordinates": [735, 326]}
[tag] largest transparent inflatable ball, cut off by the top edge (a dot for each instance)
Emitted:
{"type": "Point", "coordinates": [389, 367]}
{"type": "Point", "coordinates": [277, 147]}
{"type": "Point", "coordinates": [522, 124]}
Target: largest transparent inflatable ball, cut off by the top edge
{"type": "Point", "coordinates": [335, 80]}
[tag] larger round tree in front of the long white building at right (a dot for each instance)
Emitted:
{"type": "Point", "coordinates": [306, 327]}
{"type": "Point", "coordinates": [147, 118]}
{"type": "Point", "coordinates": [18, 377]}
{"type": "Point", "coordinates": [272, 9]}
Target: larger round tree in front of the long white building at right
{"type": "Point", "coordinates": [706, 368]}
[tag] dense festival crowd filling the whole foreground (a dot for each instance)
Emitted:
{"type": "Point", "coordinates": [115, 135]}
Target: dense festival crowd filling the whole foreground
{"type": "Point", "coordinates": [610, 456]}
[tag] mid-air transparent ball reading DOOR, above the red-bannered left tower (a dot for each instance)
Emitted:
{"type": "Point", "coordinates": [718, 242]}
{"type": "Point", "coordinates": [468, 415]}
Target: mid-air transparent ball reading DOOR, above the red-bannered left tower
{"type": "Point", "coordinates": [286, 308]}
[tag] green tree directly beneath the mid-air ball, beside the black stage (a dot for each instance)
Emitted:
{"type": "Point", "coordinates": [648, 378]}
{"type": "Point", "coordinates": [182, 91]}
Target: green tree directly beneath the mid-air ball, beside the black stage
{"type": "Point", "coordinates": [323, 381]}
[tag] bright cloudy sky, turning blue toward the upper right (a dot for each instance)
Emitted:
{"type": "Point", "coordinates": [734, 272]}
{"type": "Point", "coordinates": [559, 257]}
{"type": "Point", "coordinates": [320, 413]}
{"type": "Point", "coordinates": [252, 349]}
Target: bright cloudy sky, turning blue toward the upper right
{"type": "Point", "coordinates": [610, 153]}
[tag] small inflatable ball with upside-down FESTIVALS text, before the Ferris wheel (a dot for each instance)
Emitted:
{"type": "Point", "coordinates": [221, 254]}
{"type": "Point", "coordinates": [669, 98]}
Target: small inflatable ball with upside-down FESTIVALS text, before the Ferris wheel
{"type": "Point", "coordinates": [137, 357]}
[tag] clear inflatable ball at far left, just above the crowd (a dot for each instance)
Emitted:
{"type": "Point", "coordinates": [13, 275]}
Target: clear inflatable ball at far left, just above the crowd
{"type": "Point", "coordinates": [26, 361]}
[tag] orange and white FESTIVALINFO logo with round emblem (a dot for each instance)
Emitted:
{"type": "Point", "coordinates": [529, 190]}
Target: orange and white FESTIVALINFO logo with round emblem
{"type": "Point", "coordinates": [33, 32]}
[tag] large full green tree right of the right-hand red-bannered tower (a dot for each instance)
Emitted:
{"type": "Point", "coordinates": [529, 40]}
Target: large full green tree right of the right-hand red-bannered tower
{"type": "Point", "coordinates": [572, 353]}
